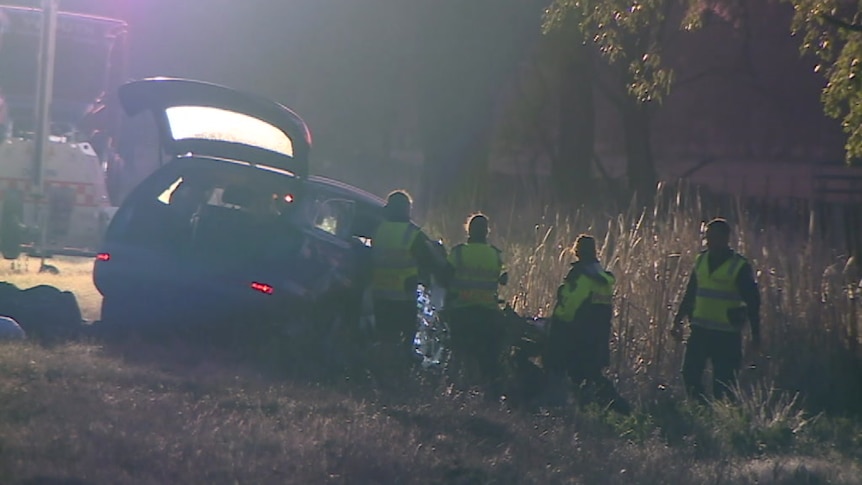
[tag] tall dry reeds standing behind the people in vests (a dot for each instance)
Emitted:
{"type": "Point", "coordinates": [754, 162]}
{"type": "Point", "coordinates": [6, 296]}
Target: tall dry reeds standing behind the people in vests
{"type": "Point", "coordinates": [811, 291]}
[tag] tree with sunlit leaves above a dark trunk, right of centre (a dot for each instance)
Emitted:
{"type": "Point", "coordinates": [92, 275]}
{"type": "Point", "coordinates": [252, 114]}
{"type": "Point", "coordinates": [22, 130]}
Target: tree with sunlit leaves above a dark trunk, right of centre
{"type": "Point", "coordinates": [629, 35]}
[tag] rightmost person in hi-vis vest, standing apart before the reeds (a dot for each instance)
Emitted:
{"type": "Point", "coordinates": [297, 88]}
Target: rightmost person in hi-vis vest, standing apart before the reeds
{"type": "Point", "coordinates": [721, 296]}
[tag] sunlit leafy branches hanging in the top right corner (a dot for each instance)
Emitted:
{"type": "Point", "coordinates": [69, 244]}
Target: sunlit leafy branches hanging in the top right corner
{"type": "Point", "coordinates": [830, 30]}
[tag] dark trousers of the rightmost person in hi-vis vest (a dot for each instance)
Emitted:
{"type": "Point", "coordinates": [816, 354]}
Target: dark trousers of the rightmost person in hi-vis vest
{"type": "Point", "coordinates": [723, 349]}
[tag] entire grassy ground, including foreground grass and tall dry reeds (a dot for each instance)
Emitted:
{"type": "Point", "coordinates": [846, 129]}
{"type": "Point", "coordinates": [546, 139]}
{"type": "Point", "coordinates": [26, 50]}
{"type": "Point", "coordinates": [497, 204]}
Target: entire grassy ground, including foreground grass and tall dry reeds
{"type": "Point", "coordinates": [171, 412]}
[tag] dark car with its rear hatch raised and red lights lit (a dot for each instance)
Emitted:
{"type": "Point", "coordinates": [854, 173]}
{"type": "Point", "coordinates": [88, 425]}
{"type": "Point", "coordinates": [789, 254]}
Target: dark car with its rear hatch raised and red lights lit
{"type": "Point", "coordinates": [232, 226]}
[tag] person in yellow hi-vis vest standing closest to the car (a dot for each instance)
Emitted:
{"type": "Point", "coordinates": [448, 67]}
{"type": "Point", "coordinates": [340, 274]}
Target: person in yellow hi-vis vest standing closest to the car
{"type": "Point", "coordinates": [400, 253]}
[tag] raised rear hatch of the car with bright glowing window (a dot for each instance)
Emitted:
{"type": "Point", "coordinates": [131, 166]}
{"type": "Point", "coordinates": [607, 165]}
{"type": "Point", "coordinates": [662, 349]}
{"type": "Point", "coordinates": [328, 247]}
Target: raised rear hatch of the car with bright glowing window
{"type": "Point", "coordinates": [207, 119]}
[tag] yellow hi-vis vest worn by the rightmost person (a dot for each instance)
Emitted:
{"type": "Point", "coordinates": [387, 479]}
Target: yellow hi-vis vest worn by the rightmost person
{"type": "Point", "coordinates": [717, 293]}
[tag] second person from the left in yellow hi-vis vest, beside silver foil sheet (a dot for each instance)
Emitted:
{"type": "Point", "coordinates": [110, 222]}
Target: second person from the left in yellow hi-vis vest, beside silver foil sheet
{"type": "Point", "coordinates": [472, 306]}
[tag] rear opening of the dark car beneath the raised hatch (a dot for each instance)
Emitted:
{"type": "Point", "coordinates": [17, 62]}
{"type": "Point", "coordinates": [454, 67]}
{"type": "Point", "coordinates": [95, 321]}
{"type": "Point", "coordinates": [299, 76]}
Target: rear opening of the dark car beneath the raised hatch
{"type": "Point", "coordinates": [214, 208]}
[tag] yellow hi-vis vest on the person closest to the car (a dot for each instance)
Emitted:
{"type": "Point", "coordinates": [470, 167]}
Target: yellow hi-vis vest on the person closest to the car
{"type": "Point", "coordinates": [393, 263]}
